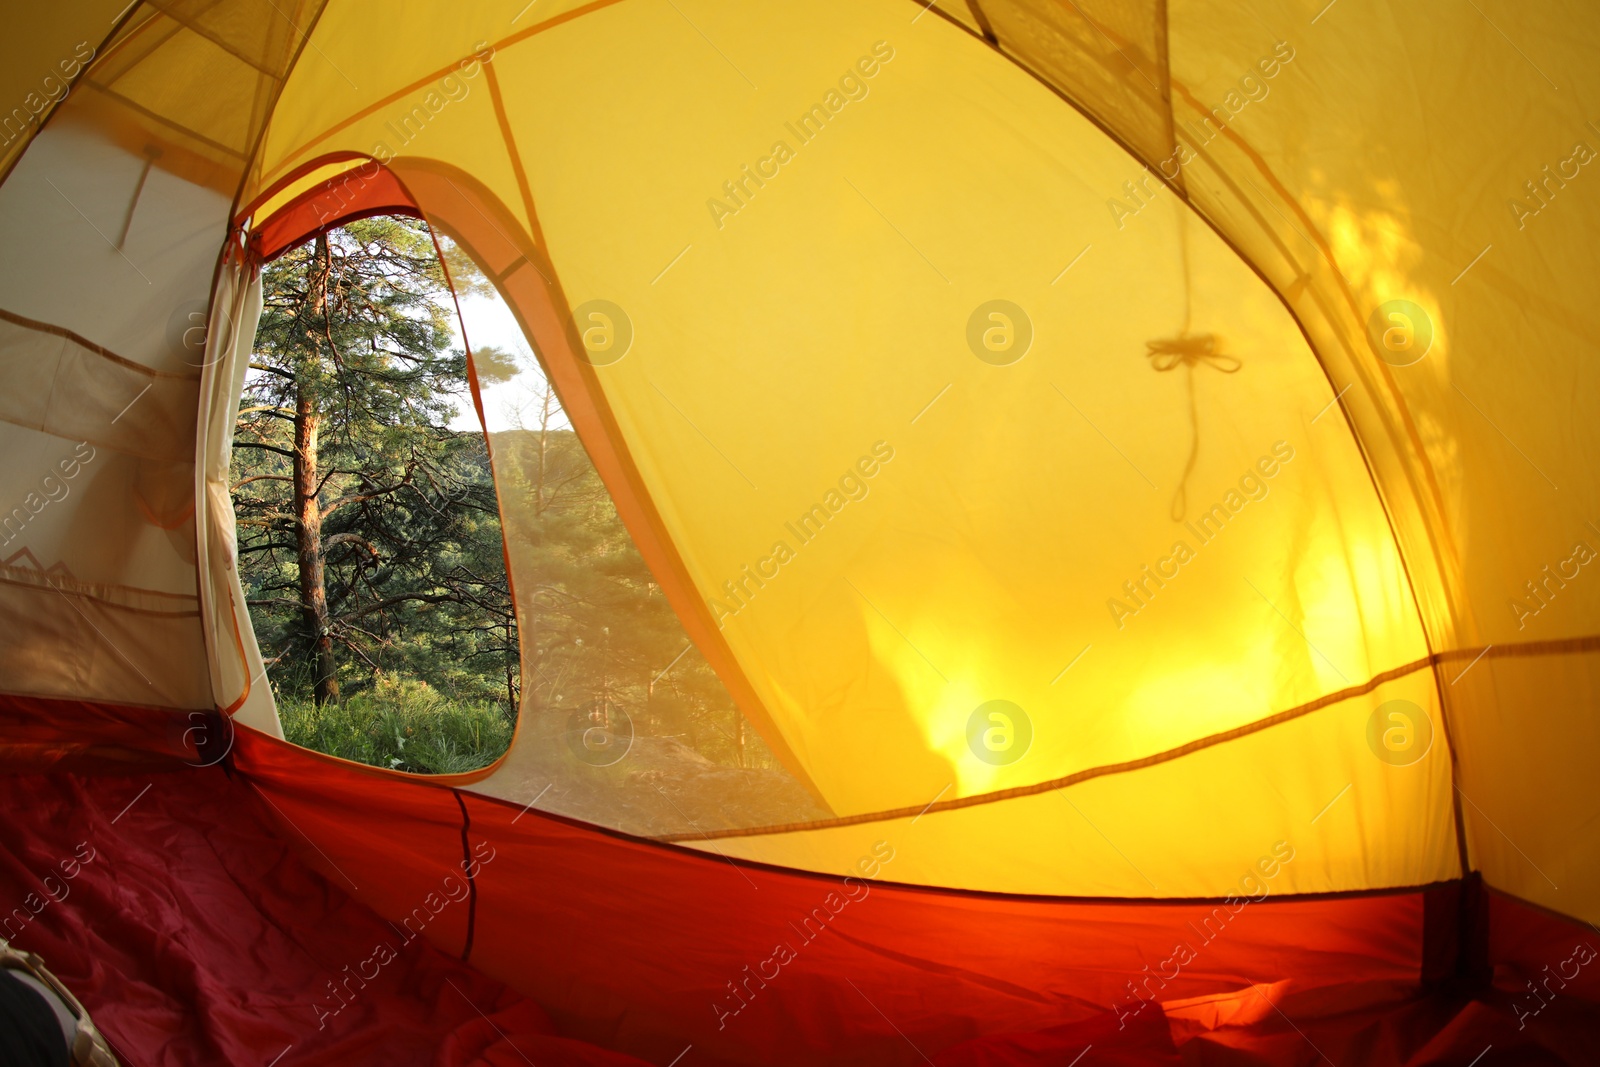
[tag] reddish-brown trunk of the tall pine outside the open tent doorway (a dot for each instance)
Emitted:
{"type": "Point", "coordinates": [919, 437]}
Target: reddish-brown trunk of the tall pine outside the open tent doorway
{"type": "Point", "coordinates": [308, 510]}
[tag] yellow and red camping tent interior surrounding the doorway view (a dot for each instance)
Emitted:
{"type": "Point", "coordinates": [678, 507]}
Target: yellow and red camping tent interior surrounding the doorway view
{"type": "Point", "coordinates": [1126, 458]}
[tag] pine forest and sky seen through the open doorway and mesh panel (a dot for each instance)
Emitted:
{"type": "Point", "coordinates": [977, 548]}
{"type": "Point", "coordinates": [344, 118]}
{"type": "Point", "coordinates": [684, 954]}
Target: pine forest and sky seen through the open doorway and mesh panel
{"type": "Point", "coordinates": [374, 551]}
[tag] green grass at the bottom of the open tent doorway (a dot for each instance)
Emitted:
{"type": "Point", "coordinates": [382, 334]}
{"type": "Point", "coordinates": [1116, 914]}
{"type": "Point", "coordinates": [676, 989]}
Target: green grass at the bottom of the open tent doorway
{"type": "Point", "coordinates": [404, 725]}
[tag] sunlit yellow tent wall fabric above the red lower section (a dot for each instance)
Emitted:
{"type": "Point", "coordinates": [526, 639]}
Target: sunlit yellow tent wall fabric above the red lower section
{"type": "Point", "coordinates": [1202, 385]}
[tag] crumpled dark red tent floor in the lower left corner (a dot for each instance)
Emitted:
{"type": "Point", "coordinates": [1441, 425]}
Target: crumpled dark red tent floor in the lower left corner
{"type": "Point", "coordinates": [194, 935]}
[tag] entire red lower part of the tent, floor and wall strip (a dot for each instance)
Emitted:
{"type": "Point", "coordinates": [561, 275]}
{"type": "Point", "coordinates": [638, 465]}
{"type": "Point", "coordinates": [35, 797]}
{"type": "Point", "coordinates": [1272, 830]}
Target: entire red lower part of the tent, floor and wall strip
{"type": "Point", "coordinates": [198, 925]}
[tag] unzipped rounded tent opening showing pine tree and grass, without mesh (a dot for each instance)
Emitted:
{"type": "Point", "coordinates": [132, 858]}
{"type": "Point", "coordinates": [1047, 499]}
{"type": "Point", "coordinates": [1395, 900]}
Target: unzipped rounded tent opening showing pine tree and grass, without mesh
{"type": "Point", "coordinates": [369, 532]}
